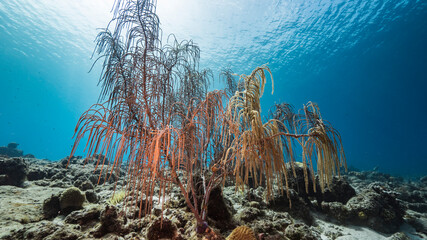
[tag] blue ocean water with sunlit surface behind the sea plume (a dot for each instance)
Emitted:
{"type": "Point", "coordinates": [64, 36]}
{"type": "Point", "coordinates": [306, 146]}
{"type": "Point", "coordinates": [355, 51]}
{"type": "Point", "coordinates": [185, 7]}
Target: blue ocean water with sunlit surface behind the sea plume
{"type": "Point", "coordinates": [363, 62]}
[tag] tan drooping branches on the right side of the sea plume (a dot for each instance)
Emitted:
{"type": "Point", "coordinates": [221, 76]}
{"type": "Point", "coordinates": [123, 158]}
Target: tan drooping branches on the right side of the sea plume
{"type": "Point", "coordinates": [260, 150]}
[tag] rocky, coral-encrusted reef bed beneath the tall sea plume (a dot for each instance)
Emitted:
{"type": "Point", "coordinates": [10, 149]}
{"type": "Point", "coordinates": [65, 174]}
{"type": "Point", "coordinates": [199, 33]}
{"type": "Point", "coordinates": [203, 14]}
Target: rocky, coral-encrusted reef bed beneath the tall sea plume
{"type": "Point", "coordinates": [40, 199]}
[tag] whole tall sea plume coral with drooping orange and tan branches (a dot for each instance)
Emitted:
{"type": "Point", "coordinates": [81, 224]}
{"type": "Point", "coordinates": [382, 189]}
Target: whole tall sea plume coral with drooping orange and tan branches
{"type": "Point", "coordinates": [157, 116]}
